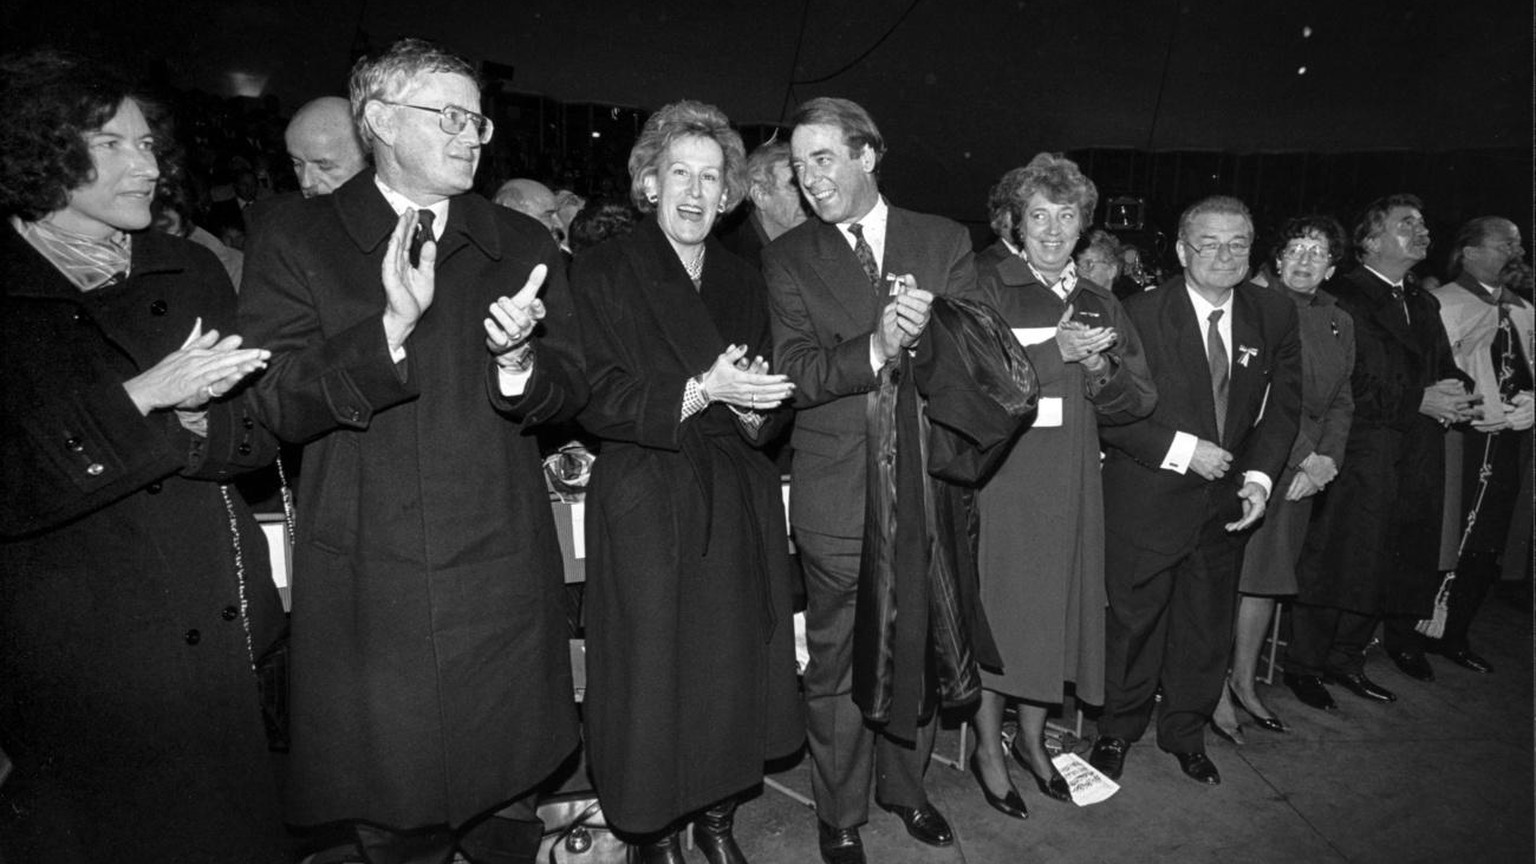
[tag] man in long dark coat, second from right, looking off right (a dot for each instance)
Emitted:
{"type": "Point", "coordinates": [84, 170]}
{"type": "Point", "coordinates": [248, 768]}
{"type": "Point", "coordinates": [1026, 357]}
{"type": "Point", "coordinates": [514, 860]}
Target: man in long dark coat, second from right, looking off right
{"type": "Point", "coordinates": [1372, 551]}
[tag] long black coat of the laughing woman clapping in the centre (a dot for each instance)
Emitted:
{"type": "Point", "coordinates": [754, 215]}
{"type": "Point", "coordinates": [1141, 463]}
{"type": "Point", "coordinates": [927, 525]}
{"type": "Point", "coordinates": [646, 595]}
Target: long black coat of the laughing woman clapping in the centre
{"type": "Point", "coordinates": [690, 650]}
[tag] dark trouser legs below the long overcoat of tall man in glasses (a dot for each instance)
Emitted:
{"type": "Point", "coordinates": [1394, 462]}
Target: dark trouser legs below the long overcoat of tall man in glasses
{"type": "Point", "coordinates": [508, 837]}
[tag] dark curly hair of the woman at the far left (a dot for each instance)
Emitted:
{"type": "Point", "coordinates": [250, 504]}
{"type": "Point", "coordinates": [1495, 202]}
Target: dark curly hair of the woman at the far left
{"type": "Point", "coordinates": [50, 102]}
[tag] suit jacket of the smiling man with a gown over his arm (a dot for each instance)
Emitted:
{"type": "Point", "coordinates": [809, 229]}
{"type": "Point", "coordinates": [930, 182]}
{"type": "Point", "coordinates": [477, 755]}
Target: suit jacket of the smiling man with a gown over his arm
{"type": "Point", "coordinates": [824, 313]}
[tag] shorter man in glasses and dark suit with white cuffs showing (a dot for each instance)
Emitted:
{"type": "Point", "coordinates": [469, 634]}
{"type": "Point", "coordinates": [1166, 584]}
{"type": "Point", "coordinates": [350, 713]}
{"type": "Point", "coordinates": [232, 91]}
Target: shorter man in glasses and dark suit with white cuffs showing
{"type": "Point", "coordinates": [1183, 485]}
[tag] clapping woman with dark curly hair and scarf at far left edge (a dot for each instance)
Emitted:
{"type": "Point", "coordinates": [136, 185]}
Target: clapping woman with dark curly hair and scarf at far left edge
{"type": "Point", "coordinates": [136, 596]}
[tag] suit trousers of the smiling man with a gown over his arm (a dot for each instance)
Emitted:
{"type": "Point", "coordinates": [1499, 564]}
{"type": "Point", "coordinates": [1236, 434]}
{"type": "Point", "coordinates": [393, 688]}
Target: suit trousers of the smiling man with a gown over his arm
{"type": "Point", "coordinates": [846, 751]}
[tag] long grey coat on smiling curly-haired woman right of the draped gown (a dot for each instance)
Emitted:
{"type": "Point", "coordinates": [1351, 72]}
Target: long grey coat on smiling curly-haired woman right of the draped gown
{"type": "Point", "coordinates": [1042, 539]}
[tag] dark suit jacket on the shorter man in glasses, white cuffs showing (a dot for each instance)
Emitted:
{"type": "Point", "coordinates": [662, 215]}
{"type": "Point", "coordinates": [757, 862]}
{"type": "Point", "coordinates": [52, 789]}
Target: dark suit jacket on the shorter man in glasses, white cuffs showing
{"type": "Point", "coordinates": [1164, 511]}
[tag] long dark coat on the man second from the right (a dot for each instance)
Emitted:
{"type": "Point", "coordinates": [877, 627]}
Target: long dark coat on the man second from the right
{"type": "Point", "coordinates": [1374, 545]}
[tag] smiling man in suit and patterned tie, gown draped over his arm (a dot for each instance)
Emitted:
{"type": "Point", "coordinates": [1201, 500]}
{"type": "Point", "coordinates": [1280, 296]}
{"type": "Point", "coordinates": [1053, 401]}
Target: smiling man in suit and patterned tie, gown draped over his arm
{"type": "Point", "coordinates": [836, 327]}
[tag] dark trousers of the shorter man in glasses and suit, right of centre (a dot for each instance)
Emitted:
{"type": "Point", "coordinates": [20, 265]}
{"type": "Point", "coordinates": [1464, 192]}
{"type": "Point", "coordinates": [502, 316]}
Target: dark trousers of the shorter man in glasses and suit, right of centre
{"type": "Point", "coordinates": [1171, 623]}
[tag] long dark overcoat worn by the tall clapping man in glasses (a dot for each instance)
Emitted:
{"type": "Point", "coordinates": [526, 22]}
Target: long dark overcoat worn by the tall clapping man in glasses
{"type": "Point", "coordinates": [431, 665]}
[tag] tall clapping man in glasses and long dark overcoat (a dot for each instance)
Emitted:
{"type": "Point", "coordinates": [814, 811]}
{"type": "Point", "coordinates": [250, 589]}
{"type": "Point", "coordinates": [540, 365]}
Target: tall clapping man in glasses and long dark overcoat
{"type": "Point", "coordinates": [431, 679]}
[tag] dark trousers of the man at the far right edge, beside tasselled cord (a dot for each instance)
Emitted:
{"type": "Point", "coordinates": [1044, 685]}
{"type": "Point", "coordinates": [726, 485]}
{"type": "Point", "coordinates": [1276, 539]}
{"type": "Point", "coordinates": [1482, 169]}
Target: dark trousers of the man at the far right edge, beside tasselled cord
{"type": "Point", "coordinates": [1478, 568]}
